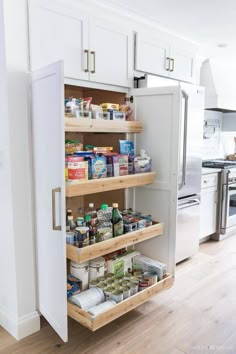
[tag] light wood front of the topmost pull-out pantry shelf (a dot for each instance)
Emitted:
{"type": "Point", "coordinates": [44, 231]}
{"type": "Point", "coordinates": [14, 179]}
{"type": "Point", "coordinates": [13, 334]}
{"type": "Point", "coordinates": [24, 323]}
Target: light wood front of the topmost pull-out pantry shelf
{"type": "Point", "coordinates": [101, 126]}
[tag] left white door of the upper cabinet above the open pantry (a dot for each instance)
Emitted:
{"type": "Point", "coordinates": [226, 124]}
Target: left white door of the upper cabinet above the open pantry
{"type": "Point", "coordinates": [58, 33]}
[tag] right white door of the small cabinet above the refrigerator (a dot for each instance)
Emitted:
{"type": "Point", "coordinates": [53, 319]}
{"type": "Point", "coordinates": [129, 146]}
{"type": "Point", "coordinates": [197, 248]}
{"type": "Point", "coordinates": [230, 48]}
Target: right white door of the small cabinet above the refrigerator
{"type": "Point", "coordinates": [182, 63]}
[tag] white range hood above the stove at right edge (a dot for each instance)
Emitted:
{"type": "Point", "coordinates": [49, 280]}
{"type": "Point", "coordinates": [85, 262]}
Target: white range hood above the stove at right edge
{"type": "Point", "coordinates": [218, 76]}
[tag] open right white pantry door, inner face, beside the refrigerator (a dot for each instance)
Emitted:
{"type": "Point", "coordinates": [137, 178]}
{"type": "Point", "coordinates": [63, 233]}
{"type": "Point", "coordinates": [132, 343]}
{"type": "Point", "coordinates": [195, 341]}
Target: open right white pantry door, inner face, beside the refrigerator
{"type": "Point", "coordinates": [159, 111]}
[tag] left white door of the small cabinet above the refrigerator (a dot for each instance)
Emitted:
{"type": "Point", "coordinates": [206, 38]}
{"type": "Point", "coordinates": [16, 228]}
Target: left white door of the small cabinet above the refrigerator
{"type": "Point", "coordinates": [151, 55]}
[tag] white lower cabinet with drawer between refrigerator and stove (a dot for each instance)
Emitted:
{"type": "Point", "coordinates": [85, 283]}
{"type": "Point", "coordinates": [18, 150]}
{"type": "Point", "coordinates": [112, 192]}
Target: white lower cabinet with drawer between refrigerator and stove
{"type": "Point", "coordinates": [209, 205]}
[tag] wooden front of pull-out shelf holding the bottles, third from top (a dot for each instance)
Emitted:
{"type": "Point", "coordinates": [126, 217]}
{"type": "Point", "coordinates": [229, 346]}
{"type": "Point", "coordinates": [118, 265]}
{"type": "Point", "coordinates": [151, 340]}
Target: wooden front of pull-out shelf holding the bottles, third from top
{"type": "Point", "coordinates": [80, 255]}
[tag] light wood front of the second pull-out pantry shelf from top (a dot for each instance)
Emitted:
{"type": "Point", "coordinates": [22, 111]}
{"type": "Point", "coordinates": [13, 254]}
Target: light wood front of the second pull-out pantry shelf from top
{"type": "Point", "coordinates": [109, 184]}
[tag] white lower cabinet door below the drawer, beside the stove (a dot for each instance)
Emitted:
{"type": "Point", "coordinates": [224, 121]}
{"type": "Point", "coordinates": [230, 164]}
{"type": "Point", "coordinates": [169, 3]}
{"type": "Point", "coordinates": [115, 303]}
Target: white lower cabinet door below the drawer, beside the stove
{"type": "Point", "coordinates": [208, 217]}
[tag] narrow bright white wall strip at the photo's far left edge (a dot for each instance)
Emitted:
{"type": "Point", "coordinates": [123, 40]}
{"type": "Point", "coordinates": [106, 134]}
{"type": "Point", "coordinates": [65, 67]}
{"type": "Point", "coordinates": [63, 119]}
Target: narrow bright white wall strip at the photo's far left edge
{"type": "Point", "coordinates": [8, 298]}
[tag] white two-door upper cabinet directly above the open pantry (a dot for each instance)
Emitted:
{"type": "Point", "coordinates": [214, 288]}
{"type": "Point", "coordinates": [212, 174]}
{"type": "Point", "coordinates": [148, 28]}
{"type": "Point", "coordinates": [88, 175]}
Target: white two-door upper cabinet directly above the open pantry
{"type": "Point", "coordinates": [92, 49]}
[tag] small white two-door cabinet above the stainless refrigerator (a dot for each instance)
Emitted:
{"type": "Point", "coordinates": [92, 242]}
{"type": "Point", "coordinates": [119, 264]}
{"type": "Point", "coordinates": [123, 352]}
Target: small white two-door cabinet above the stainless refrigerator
{"type": "Point", "coordinates": [165, 56]}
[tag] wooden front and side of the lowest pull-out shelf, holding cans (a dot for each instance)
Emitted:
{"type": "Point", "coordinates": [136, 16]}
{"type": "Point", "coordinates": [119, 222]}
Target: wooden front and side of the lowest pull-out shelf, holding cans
{"type": "Point", "coordinates": [94, 323]}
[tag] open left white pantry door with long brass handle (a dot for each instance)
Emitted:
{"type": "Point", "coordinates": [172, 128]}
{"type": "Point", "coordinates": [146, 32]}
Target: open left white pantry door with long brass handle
{"type": "Point", "coordinates": [49, 193]}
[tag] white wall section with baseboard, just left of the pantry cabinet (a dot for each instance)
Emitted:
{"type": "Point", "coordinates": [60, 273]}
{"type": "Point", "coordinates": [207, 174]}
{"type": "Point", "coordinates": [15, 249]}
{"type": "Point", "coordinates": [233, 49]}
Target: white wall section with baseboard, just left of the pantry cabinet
{"type": "Point", "coordinates": [16, 34]}
